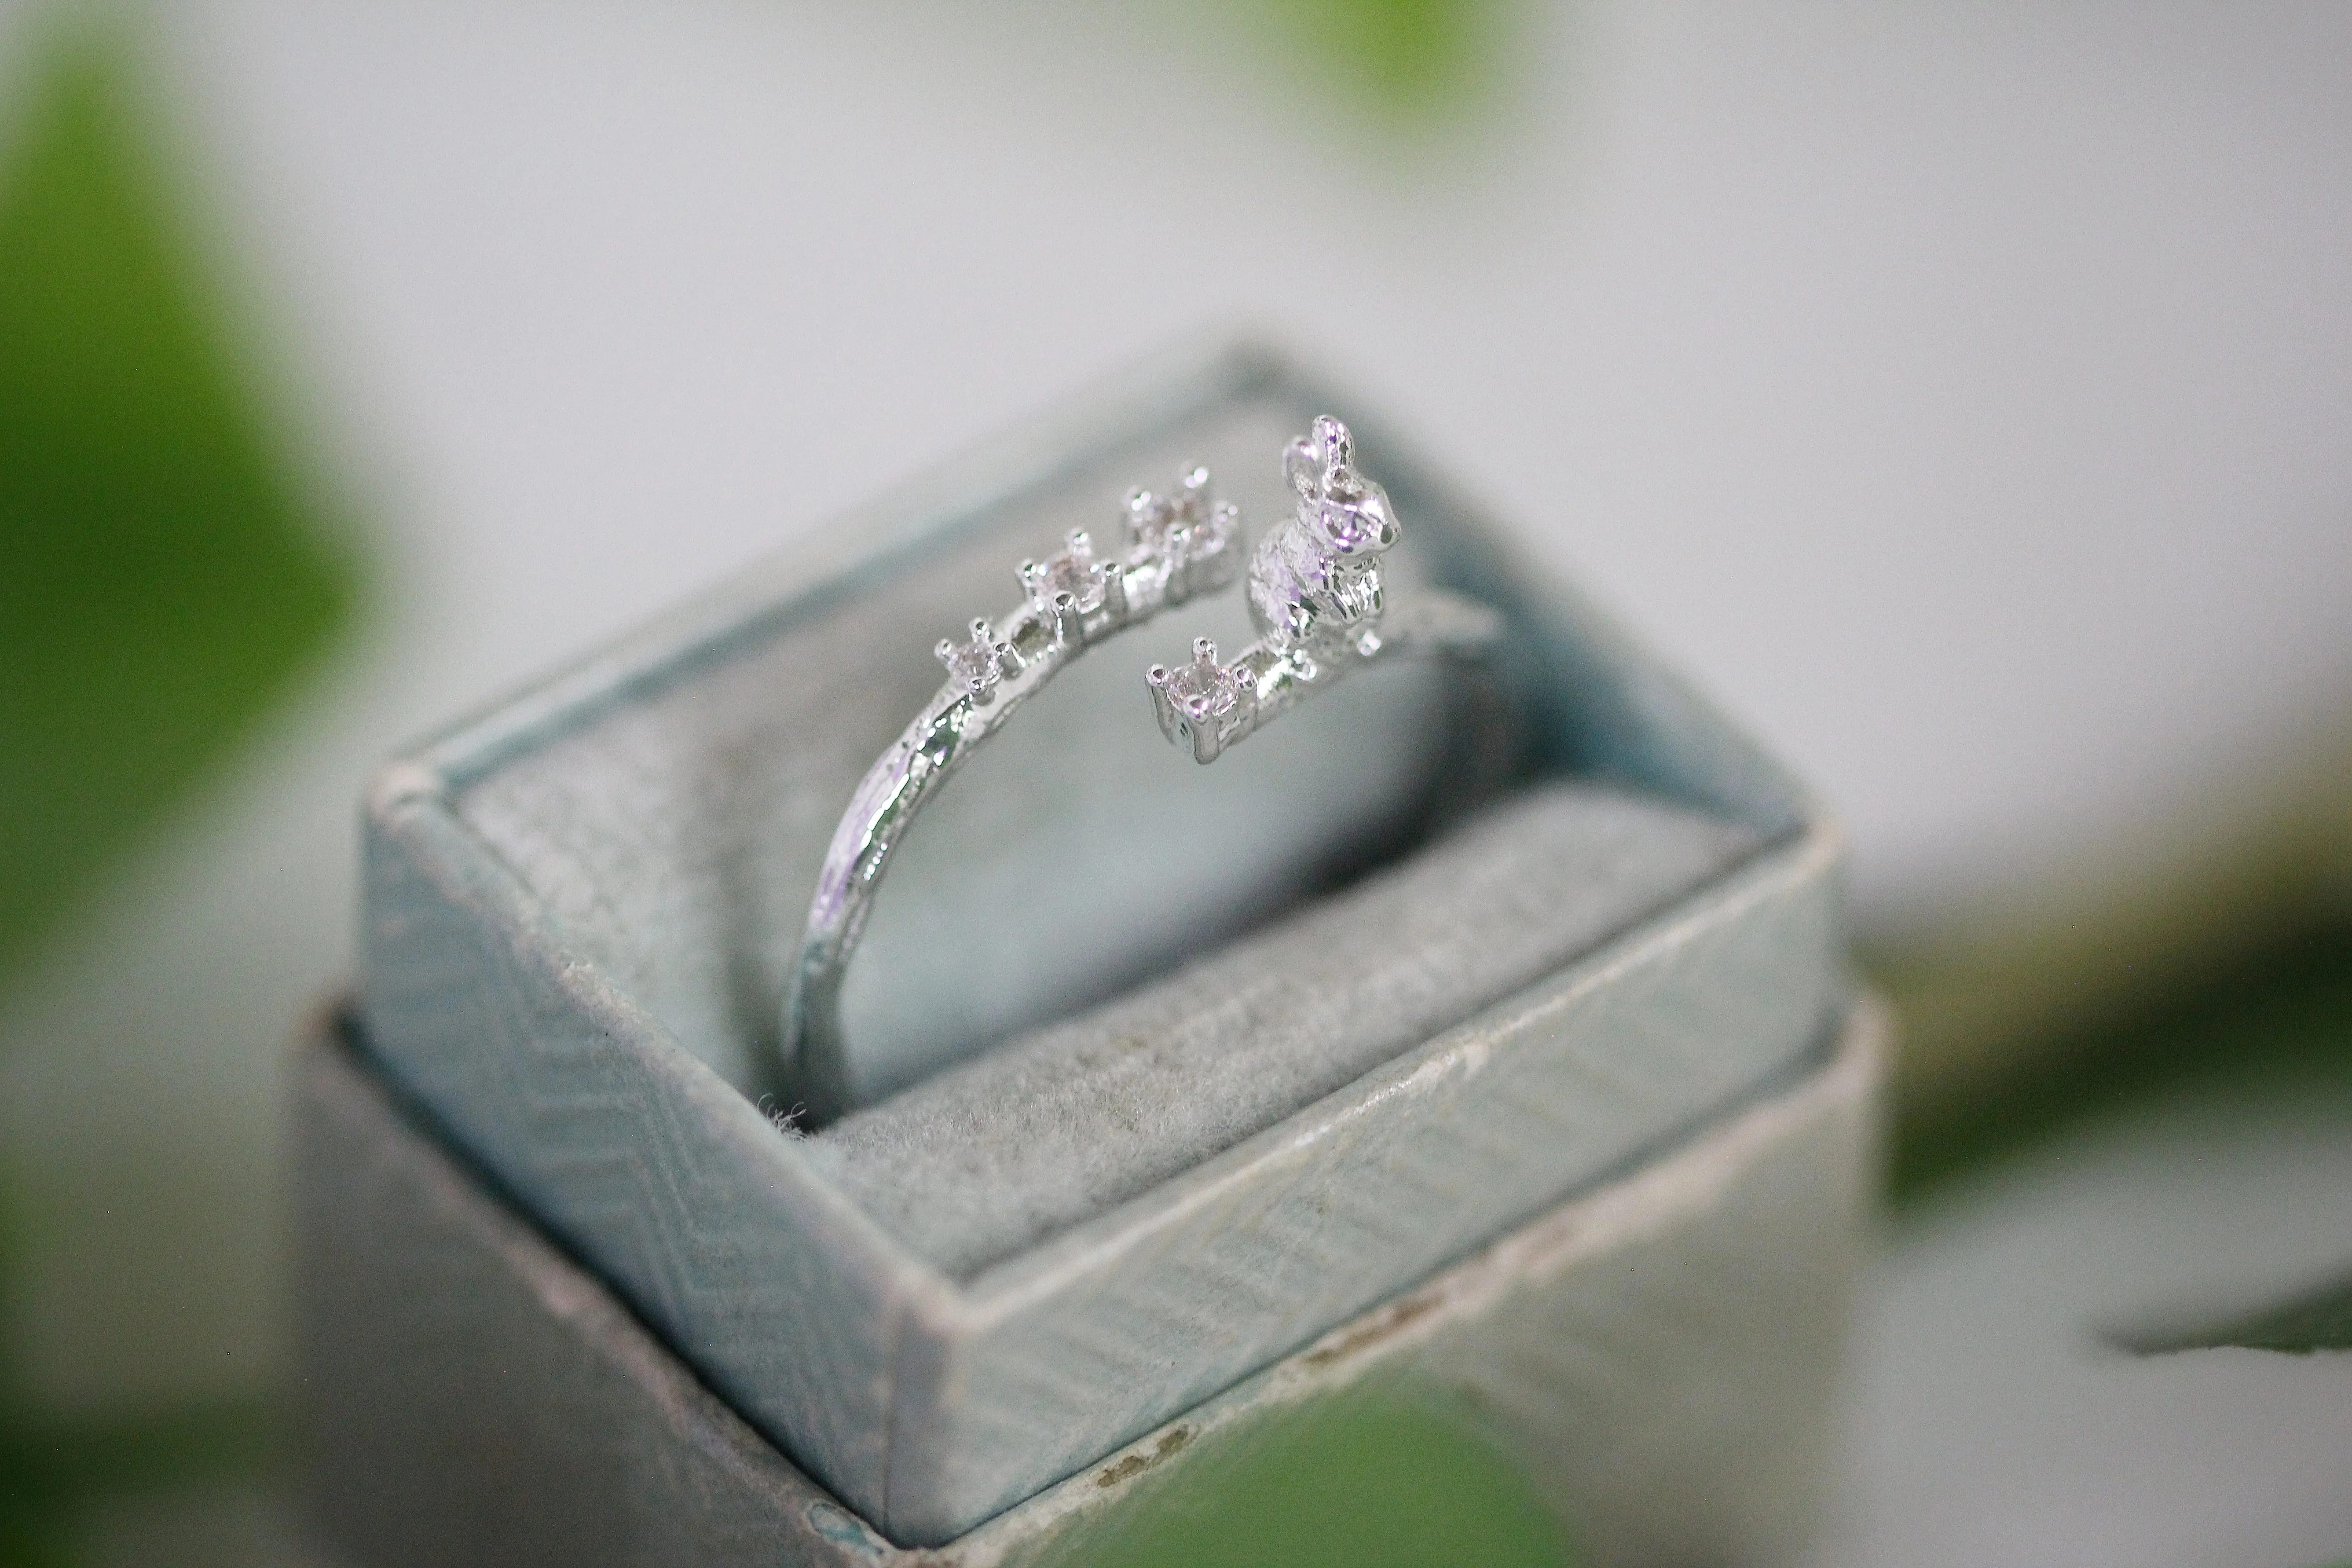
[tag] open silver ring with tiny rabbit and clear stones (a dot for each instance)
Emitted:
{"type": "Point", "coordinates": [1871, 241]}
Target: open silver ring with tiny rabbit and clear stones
{"type": "Point", "coordinates": [1316, 598]}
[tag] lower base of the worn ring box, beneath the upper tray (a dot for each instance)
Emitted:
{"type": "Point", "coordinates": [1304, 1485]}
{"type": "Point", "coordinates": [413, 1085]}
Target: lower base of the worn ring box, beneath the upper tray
{"type": "Point", "coordinates": [1638, 1376]}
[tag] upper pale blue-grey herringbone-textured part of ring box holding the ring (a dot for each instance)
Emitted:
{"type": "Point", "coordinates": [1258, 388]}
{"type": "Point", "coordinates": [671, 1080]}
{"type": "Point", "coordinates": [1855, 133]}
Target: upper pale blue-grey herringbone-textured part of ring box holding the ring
{"type": "Point", "coordinates": [580, 911]}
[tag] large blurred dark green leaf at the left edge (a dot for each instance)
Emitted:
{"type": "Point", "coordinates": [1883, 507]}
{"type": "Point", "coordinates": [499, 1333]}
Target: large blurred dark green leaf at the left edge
{"type": "Point", "coordinates": [161, 582]}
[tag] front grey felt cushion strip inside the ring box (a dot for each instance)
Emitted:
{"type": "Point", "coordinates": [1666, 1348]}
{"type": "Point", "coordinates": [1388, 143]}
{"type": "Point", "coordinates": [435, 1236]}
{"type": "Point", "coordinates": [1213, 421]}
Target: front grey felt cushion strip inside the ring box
{"type": "Point", "coordinates": [1071, 1120]}
